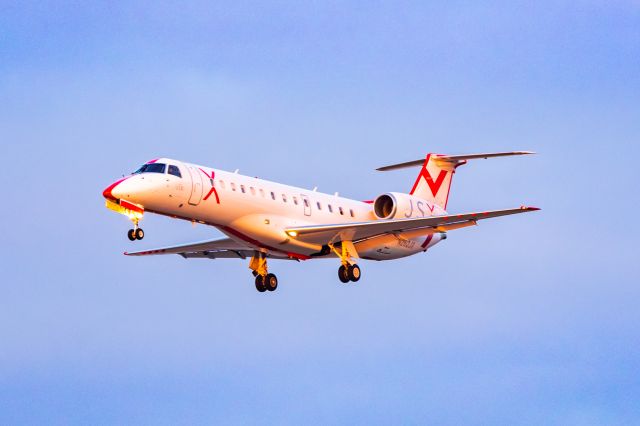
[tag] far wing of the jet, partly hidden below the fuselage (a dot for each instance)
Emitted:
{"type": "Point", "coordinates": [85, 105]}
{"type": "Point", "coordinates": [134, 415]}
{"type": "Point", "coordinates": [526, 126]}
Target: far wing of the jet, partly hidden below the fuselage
{"type": "Point", "coordinates": [224, 248]}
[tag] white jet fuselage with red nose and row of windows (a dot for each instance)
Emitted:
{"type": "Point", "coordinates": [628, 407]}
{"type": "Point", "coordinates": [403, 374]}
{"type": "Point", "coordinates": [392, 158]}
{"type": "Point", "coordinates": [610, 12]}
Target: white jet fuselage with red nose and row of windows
{"type": "Point", "coordinates": [256, 212]}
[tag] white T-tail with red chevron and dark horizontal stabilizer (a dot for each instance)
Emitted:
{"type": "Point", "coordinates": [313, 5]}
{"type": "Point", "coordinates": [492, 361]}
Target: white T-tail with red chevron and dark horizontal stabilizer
{"type": "Point", "coordinates": [434, 181]}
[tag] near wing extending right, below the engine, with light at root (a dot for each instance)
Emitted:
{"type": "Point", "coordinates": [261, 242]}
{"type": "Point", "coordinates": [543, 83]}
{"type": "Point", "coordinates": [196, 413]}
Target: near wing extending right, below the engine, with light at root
{"type": "Point", "coordinates": [357, 231]}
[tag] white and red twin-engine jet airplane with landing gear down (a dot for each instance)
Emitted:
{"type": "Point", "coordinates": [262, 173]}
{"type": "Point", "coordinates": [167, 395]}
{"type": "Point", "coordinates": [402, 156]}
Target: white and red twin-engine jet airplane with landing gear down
{"type": "Point", "coordinates": [265, 220]}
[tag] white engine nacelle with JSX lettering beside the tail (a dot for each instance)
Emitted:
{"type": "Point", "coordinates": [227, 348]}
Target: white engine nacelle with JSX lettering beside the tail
{"type": "Point", "coordinates": [396, 205]}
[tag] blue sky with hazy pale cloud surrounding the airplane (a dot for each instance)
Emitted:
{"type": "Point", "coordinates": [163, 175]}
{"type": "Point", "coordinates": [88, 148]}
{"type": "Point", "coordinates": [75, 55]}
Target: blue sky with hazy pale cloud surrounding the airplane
{"type": "Point", "coordinates": [522, 320]}
